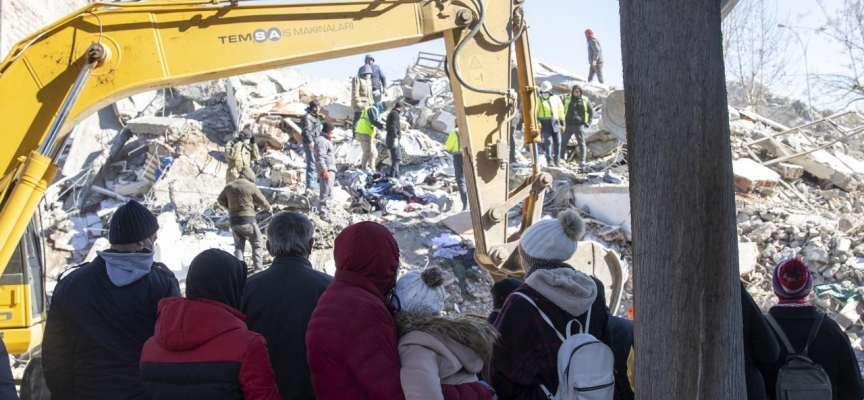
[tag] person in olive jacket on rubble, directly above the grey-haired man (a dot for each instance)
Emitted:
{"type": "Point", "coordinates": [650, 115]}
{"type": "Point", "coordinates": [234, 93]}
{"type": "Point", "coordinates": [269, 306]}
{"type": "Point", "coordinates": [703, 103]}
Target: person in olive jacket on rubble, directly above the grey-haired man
{"type": "Point", "coordinates": [240, 198]}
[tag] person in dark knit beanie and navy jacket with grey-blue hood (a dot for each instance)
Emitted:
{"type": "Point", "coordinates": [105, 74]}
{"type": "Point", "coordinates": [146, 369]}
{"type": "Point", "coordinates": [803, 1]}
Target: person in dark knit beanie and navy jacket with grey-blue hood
{"type": "Point", "coordinates": [103, 312]}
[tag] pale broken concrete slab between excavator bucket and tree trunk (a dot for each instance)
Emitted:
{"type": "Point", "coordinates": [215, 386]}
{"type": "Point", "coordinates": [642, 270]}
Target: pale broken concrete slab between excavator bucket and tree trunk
{"type": "Point", "coordinates": [606, 202]}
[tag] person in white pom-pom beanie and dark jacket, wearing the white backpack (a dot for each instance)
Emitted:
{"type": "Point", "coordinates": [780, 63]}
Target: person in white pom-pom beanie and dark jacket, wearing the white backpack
{"type": "Point", "coordinates": [526, 357]}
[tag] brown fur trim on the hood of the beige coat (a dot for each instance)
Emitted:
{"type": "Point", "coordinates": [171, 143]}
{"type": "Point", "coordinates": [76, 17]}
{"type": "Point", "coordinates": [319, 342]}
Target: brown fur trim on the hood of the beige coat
{"type": "Point", "coordinates": [472, 333]}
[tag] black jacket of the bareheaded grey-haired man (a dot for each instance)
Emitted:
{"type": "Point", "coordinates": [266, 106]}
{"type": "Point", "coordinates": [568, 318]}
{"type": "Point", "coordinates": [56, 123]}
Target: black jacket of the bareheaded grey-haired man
{"type": "Point", "coordinates": [278, 304]}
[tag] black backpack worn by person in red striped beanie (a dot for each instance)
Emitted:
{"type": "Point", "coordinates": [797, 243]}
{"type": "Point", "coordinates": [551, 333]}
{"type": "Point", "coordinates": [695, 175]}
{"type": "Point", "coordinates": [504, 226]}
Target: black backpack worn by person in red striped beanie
{"type": "Point", "coordinates": [800, 378]}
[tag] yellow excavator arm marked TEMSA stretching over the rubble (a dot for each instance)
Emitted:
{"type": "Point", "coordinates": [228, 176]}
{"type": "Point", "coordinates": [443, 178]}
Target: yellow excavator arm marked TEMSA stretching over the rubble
{"type": "Point", "coordinates": [107, 51]}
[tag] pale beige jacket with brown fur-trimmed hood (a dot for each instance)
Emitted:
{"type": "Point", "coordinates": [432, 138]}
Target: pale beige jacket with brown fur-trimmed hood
{"type": "Point", "coordinates": [436, 351]}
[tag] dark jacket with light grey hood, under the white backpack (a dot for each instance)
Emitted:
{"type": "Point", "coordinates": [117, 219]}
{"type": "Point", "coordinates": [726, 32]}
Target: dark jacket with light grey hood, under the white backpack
{"type": "Point", "coordinates": [527, 354]}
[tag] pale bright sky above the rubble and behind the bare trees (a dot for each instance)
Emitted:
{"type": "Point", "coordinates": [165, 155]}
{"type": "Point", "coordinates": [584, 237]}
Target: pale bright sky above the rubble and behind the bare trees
{"type": "Point", "coordinates": [556, 32]}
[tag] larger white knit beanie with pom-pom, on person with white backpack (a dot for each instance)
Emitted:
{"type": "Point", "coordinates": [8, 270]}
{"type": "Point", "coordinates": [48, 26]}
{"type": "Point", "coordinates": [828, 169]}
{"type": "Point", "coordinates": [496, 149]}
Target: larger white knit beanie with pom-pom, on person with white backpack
{"type": "Point", "coordinates": [553, 239]}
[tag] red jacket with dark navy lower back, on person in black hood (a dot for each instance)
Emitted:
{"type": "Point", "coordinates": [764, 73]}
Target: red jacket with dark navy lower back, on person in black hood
{"type": "Point", "coordinates": [201, 349]}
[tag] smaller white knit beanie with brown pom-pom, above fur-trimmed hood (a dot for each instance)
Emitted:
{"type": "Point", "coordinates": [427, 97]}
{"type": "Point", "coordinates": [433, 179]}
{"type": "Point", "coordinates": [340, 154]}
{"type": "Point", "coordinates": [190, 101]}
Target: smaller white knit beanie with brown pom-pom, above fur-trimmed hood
{"type": "Point", "coordinates": [422, 292]}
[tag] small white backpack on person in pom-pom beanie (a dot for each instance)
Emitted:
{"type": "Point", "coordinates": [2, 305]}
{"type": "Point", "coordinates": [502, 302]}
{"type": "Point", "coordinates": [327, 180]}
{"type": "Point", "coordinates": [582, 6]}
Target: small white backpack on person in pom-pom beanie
{"type": "Point", "coordinates": [586, 366]}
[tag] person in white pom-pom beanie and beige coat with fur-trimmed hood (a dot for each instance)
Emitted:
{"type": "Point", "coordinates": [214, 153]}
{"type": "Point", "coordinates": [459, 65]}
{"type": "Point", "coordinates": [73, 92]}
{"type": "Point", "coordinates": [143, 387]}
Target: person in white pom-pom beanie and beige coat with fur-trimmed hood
{"type": "Point", "coordinates": [440, 356]}
